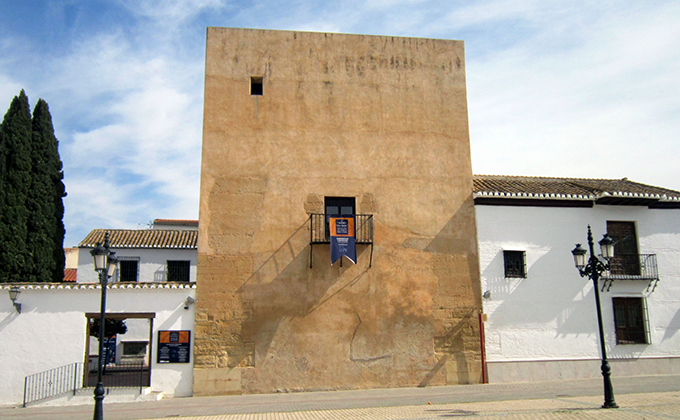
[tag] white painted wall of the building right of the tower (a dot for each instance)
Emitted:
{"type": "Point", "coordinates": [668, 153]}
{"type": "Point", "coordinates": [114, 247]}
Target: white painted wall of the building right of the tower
{"type": "Point", "coordinates": [551, 315]}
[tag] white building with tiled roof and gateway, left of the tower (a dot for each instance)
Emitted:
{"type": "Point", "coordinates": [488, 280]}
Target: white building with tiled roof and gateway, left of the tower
{"type": "Point", "coordinates": [152, 292]}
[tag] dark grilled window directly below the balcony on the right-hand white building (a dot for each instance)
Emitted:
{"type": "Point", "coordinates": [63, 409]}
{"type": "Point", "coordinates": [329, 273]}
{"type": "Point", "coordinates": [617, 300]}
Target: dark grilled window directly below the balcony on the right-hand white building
{"type": "Point", "coordinates": [629, 318]}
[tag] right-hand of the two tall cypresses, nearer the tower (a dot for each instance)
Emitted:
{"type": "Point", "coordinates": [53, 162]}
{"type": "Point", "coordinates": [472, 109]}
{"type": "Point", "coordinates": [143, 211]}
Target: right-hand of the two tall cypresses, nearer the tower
{"type": "Point", "coordinates": [45, 201]}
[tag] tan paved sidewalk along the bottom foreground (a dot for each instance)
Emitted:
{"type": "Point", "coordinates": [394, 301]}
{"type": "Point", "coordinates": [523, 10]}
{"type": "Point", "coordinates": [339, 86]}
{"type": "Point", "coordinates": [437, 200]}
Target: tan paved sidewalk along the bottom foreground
{"type": "Point", "coordinates": [648, 397]}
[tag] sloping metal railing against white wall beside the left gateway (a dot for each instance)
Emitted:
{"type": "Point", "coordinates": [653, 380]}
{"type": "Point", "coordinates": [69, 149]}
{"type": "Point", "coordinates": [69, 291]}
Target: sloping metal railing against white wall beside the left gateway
{"type": "Point", "coordinates": [53, 382]}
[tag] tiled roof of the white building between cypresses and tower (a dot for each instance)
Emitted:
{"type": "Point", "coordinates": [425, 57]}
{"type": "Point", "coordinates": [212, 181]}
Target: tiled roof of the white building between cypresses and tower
{"type": "Point", "coordinates": [143, 238]}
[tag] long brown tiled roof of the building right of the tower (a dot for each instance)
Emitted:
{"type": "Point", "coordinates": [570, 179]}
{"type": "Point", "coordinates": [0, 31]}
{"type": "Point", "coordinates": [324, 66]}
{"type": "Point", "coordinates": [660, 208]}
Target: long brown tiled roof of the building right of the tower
{"type": "Point", "coordinates": [501, 186]}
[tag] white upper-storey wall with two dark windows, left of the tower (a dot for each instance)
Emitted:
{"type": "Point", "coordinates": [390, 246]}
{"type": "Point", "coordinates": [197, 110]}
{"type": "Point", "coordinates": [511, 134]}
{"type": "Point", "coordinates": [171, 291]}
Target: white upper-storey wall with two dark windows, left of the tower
{"type": "Point", "coordinates": [152, 263]}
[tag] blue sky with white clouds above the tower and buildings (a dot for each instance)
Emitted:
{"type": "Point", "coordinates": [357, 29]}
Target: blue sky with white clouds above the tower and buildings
{"type": "Point", "coordinates": [587, 89]}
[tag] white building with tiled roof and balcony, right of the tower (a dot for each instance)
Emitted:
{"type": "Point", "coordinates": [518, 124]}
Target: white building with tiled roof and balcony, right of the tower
{"type": "Point", "coordinates": [541, 314]}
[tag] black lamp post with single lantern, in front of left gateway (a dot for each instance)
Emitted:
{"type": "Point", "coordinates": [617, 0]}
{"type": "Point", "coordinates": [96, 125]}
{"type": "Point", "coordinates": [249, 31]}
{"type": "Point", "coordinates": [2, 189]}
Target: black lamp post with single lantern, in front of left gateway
{"type": "Point", "coordinates": [105, 263]}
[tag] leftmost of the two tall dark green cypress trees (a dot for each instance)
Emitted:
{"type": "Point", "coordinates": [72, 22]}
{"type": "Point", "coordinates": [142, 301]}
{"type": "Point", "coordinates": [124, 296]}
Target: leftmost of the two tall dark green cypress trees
{"type": "Point", "coordinates": [15, 259]}
